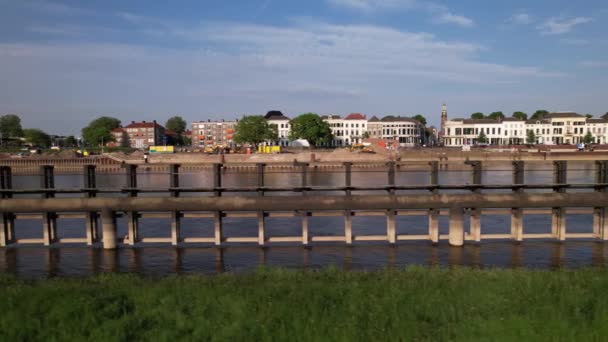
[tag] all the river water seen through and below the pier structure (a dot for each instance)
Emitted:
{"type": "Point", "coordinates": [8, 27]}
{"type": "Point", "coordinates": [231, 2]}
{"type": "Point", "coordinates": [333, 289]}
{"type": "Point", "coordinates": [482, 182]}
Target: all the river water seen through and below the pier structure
{"type": "Point", "coordinates": [150, 259]}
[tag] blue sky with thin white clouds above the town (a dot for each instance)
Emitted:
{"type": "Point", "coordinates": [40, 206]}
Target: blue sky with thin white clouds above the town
{"type": "Point", "coordinates": [63, 63]}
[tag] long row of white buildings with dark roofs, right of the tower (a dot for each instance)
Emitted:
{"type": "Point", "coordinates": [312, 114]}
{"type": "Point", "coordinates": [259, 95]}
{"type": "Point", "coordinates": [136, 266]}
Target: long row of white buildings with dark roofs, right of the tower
{"type": "Point", "coordinates": [552, 129]}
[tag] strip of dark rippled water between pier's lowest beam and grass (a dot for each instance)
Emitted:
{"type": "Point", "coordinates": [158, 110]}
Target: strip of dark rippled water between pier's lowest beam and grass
{"type": "Point", "coordinates": [50, 262]}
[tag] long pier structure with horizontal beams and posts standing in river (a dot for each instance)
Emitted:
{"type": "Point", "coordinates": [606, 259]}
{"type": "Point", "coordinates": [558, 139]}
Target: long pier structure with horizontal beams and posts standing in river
{"type": "Point", "coordinates": [304, 201]}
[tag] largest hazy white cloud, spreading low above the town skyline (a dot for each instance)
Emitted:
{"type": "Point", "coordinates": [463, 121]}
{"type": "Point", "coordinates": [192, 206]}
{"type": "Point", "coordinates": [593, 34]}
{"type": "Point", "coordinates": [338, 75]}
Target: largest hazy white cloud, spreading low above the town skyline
{"type": "Point", "coordinates": [229, 69]}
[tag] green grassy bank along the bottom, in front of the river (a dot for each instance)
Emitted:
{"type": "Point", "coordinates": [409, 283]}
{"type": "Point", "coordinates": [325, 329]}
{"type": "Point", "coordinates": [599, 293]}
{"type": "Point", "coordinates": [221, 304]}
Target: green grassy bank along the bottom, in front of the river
{"type": "Point", "coordinates": [412, 304]}
